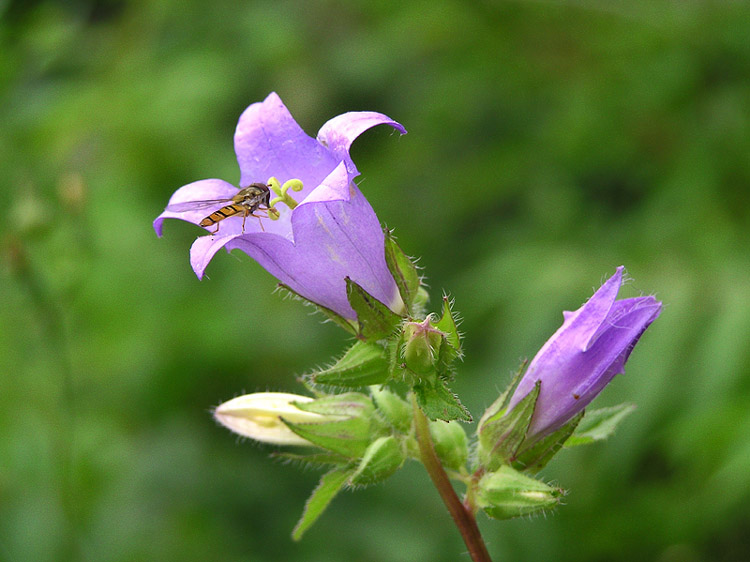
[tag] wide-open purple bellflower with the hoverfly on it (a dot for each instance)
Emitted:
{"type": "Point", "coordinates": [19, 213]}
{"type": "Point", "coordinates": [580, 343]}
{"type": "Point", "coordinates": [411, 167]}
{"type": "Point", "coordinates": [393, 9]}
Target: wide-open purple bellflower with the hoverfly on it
{"type": "Point", "coordinates": [310, 244]}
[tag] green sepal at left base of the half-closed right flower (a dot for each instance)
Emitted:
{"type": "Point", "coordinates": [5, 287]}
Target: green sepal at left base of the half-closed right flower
{"type": "Point", "coordinates": [502, 432]}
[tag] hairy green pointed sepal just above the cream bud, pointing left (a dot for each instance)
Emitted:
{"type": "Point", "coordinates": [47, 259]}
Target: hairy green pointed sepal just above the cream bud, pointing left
{"type": "Point", "coordinates": [363, 364]}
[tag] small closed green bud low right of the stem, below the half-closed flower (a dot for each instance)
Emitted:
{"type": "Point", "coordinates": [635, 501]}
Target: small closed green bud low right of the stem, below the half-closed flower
{"type": "Point", "coordinates": [507, 493]}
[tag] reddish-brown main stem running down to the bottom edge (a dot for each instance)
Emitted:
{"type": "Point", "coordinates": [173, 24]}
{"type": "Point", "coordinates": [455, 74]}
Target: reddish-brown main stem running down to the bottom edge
{"type": "Point", "coordinates": [462, 517]}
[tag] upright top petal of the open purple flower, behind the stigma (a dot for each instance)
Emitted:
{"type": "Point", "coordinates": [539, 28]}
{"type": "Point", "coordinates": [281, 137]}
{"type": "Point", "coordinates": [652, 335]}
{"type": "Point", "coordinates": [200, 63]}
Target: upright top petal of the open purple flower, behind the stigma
{"type": "Point", "coordinates": [269, 142]}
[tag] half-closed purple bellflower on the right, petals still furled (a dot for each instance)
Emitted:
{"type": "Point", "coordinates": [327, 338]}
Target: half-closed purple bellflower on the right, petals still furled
{"type": "Point", "coordinates": [584, 355]}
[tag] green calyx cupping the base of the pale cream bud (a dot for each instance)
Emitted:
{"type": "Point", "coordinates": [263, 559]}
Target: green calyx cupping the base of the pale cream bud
{"type": "Point", "coordinates": [348, 436]}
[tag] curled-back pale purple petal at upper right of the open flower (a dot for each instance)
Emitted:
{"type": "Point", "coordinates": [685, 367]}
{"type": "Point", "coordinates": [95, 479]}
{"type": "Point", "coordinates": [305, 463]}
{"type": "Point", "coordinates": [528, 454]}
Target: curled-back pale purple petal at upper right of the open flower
{"type": "Point", "coordinates": [339, 133]}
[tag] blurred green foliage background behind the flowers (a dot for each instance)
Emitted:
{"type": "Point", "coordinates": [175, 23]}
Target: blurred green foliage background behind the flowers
{"type": "Point", "coordinates": [548, 143]}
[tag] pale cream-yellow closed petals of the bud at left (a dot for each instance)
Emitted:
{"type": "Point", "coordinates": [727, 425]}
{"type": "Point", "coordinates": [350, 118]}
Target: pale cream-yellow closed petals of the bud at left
{"type": "Point", "coordinates": [258, 416]}
